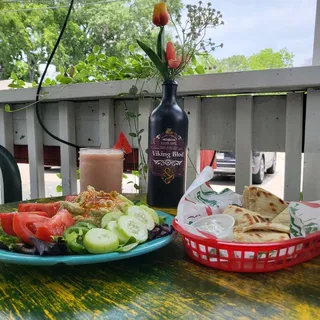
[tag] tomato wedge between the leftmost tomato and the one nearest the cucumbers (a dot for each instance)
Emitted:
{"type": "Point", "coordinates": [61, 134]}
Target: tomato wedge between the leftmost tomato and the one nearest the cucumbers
{"type": "Point", "coordinates": [22, 220]}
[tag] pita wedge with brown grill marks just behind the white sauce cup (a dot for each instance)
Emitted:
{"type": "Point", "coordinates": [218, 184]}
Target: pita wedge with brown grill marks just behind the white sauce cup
{"type": "Point", "coordinates": [244, 217]}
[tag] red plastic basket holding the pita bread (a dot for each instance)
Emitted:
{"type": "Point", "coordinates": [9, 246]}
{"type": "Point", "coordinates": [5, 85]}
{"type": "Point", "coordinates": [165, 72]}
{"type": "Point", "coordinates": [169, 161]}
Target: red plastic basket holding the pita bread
{"type": "Point", "coordinates": [249, 257]}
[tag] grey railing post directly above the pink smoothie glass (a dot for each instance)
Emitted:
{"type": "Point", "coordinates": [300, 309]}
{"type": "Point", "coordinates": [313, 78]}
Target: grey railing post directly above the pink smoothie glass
{"type": "Point", "coordinates": [106, 123]}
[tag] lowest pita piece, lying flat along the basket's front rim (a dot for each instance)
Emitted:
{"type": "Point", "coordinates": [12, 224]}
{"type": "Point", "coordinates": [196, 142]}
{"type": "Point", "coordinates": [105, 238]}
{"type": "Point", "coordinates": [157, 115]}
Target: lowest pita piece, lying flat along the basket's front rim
{"type": "Point", "coordinates": [259, 236]}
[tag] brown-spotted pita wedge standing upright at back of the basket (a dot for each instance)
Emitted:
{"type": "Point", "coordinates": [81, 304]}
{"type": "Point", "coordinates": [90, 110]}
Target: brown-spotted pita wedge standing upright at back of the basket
{"type": "Point", "coordinates": [263, 202]}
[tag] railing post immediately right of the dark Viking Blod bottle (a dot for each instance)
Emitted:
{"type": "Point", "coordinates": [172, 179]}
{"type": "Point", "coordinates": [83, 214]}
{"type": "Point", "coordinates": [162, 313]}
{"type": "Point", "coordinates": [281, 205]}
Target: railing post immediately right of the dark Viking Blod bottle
{"type": "Point", "coordinates": [192, 106]}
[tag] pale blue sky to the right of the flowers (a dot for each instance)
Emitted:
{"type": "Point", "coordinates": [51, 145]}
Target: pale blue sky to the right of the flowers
{"type": "Point", "coordinates": [252, 25]}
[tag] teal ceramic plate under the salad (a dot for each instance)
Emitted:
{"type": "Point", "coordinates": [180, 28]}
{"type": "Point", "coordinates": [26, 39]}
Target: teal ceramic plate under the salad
{"type": "Point", "coordinates": [19, 258]}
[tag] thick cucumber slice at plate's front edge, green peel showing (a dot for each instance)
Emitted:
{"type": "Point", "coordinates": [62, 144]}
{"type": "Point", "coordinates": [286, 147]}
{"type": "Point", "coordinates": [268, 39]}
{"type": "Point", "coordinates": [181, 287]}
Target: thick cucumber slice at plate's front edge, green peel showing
{"type": "Point", "coordinates": [100, 241]}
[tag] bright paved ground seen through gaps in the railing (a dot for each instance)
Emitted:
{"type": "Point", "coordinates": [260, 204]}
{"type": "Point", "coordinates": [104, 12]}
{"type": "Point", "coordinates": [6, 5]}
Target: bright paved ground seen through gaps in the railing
{"type": "Point", "coordinates": [273, 183]}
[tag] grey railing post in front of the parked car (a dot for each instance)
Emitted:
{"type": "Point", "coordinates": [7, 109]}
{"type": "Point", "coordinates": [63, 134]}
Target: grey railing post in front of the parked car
{"type": "Point", "coordinates": [244, 116]}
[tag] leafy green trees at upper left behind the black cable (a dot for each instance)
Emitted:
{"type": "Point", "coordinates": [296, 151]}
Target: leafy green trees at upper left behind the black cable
{"type": "Point", "coordinates": [28, 37]}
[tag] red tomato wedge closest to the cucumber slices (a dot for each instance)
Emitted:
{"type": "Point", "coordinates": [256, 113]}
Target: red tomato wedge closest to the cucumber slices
{"type": "Point", "coordinates": [55, 226]}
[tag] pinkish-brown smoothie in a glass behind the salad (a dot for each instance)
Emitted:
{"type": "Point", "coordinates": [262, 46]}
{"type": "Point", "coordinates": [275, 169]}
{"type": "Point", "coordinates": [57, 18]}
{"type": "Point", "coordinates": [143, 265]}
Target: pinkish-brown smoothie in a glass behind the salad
{"type": "Point", "coordinates": [101, 169]}
